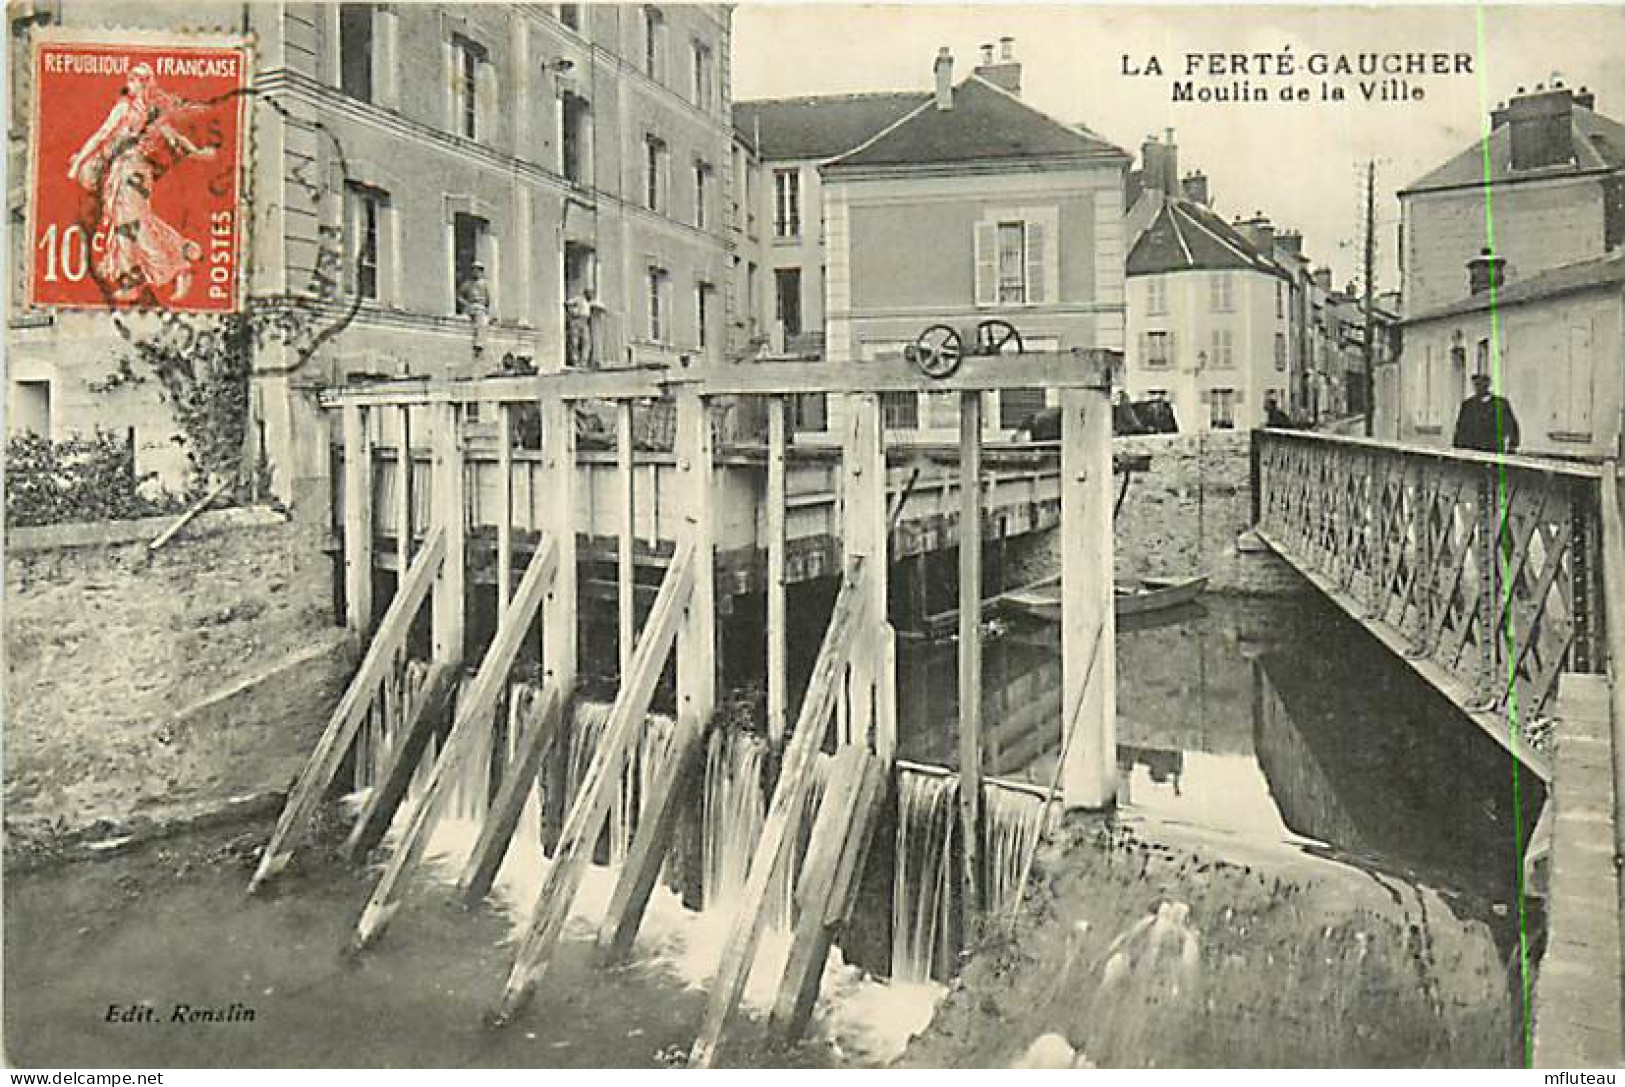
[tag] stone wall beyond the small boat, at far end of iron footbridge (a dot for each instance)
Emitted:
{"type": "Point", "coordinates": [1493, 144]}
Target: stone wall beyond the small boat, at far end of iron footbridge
{"type": "Point", "coordinates": [1187, 513]}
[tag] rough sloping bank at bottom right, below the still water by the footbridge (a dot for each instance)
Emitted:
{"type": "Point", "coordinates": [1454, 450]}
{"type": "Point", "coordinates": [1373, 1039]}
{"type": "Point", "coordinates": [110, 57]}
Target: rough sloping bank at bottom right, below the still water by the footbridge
{"type": "Point", "coordinates": [1143, 953]}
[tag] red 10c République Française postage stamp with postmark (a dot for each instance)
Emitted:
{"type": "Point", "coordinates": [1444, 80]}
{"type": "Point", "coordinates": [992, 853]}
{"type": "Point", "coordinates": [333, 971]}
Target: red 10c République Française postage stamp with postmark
{"type": "Point", "coordinates": [137, 175]}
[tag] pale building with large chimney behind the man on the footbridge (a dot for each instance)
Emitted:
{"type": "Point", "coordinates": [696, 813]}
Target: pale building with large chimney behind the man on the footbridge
{"type": "Point", "coordinates": [1548, 191]}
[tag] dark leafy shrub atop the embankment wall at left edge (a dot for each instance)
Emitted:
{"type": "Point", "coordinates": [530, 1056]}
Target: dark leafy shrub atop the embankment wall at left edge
{"type": "Point", "coordinates": [77, 480]}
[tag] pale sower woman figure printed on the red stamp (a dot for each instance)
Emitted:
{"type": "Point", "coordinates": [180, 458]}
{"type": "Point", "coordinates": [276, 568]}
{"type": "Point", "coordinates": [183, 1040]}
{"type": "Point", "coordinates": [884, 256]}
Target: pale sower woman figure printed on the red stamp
{"type": "Point", "coordinates": [123, 162]}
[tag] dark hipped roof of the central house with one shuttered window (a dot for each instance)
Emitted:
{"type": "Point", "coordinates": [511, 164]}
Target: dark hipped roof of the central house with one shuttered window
{"type": "Point", "coordinates": [986, 124]}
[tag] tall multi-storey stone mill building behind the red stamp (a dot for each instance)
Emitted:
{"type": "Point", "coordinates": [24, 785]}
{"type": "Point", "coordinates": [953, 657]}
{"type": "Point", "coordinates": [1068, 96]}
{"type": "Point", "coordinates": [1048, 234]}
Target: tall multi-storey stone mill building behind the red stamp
{"type": "Point", "coordinates": [563, 147]}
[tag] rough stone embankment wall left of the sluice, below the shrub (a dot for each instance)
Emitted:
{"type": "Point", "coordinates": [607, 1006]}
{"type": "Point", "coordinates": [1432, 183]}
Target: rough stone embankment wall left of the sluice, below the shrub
{"type": "Point", "coordinates": [147, 690]}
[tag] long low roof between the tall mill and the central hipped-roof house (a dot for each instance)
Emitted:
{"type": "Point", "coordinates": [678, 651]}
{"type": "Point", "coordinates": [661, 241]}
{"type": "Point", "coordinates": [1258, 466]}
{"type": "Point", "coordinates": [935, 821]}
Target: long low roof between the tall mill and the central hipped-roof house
{"type": "Point", "coordinates": [823, 126]}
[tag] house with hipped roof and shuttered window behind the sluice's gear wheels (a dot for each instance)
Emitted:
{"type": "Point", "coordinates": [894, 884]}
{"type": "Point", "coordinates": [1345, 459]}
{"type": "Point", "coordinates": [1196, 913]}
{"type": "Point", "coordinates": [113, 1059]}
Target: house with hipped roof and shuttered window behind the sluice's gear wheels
{"type": "Point", "coordinates": [974, 207]}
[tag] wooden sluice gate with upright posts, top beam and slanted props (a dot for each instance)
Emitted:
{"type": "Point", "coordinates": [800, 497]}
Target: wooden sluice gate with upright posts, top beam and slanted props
{"type": "Point", "coordinates": [831, 758]}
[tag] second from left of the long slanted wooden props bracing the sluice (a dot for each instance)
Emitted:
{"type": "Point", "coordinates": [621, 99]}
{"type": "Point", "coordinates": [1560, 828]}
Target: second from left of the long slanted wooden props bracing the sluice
{"type": "Point", "coordinates": [474, 712]}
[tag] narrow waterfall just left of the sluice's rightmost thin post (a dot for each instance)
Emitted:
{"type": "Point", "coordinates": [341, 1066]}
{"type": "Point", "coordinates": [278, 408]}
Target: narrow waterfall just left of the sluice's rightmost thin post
{"type": "Point", "coordinates": [922, 894]}
